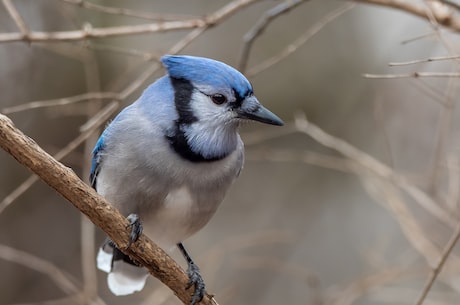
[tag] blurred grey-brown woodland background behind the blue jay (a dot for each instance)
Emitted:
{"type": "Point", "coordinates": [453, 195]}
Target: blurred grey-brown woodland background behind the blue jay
{"type": "Point", "coordinates": [352, 202]}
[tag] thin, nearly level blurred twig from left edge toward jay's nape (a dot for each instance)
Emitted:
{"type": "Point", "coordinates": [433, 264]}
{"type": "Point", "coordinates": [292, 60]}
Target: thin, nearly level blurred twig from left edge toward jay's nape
{"type": "Point", "coordinates": [62, 101]}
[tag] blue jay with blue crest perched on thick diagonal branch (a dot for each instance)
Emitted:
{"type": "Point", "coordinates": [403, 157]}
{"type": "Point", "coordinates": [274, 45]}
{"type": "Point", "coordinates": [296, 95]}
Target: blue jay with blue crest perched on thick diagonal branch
{"type": "Point", "coordinates": [170, 157]}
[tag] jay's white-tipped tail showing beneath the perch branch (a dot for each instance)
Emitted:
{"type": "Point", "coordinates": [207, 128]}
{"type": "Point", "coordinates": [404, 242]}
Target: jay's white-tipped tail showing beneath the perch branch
{"type": "Point", "coordinates": [124, 276]}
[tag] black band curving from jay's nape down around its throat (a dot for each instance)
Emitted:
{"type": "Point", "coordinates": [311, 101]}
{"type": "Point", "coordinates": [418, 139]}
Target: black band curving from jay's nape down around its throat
{"type": "Point", "coordinates": [183, 90]}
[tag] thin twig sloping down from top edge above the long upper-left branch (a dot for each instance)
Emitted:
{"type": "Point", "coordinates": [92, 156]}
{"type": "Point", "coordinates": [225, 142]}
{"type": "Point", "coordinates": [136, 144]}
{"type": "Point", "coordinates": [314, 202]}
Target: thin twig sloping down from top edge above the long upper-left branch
{"type": "Point", "coordinates": [127, 12]}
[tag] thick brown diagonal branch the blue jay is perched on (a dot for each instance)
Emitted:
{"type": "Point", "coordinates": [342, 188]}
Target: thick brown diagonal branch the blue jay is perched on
{"type": "Point", "coordinates": [98, 210]}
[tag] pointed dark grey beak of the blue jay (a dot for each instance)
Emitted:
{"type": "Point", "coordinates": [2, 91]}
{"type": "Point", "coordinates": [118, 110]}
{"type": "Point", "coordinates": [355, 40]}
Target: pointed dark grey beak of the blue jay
{"type": "Point", "coordinates": [251, 109]}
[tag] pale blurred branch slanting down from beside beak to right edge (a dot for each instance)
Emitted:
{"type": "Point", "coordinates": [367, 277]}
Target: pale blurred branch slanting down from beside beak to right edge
{"type": "Point", "coordinates": [376, 167]}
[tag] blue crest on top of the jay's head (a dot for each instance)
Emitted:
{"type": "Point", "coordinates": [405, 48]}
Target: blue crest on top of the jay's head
{"type": "Point", "coordinates": [207, 71]}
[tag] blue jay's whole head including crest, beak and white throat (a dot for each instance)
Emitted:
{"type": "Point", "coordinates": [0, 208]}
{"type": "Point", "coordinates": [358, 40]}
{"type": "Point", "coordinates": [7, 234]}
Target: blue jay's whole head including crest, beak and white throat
{"type": "Point", "coordinates": [211, 99]}
